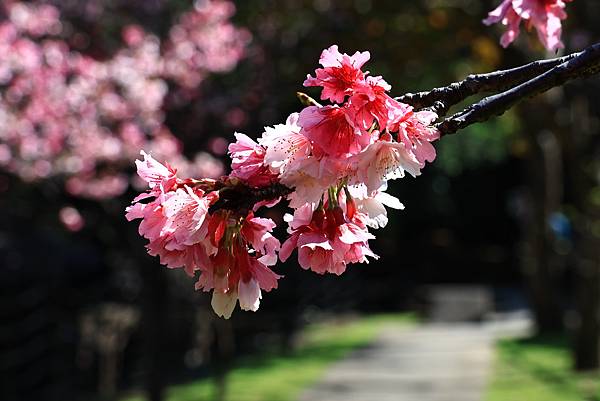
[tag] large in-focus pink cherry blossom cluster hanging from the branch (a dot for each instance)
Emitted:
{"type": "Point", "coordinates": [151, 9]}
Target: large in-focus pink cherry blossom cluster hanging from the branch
{"type": "Point", "coordinates": [335, 160]}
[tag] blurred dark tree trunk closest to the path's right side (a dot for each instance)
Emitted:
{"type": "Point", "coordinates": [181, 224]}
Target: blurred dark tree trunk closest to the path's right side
{"type": "Point", "coordinates": [545, 184]}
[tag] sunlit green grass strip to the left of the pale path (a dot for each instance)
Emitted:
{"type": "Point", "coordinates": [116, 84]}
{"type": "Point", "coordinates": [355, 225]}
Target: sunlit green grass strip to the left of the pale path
{"type": "Point", "coordinates": [273, 377]}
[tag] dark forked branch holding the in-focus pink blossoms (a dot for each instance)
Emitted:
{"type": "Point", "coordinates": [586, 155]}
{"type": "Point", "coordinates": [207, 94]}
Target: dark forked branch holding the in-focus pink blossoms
{"type": "Point", "coordinates": [514, 85]}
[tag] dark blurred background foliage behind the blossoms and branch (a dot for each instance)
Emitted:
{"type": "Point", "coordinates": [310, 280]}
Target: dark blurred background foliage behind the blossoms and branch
{"type": "Point", "coordinates": [468, 218]}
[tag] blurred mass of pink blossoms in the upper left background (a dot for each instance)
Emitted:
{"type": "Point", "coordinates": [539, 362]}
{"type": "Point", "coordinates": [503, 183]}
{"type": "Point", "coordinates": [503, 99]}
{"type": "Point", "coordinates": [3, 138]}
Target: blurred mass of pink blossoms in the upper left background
{"type": "Point", "coordinates": [66, 114]}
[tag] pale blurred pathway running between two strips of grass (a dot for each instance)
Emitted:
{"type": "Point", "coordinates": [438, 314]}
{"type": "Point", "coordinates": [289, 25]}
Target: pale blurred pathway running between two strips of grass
{"type": "Point", "coordinates": [433, 362]}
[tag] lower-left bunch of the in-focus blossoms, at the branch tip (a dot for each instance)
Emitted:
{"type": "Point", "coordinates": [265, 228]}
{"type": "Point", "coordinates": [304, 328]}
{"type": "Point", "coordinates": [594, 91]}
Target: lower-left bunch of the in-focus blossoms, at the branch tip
{"type": "Point", "coordinates": [183, 234]}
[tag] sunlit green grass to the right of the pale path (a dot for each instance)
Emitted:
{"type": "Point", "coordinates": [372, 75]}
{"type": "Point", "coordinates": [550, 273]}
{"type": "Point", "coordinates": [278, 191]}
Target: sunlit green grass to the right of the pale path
{"type": "Point", "coordinates": [539, 369]}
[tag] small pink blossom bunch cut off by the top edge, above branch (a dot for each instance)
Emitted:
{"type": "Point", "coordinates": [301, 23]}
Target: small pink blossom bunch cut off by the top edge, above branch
{"type": "Point", "coordinates": [544, 15]}
